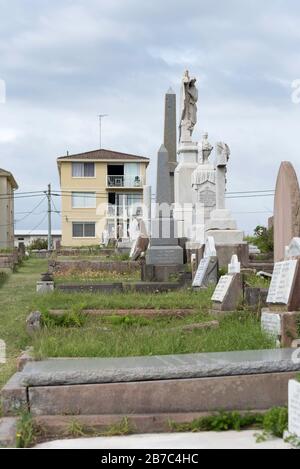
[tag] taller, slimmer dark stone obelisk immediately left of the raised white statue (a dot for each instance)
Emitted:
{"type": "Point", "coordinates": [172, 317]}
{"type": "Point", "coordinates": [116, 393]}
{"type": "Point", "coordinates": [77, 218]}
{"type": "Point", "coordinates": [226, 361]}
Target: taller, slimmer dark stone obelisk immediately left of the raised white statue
{"type": "Point", "coordinates": [170, 135]}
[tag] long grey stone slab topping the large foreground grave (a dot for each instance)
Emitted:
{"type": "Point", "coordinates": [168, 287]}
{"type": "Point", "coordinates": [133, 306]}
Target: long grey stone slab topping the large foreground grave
{"type": "Point", "coordinates": [56, 372]}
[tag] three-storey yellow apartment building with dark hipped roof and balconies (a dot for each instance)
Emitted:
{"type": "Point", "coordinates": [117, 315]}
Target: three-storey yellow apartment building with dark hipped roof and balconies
{"type": "Point", "coordinates": [99, 190]}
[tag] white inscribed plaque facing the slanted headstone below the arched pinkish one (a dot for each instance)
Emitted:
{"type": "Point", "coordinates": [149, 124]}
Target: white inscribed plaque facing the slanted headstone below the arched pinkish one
{"type": "Point", "coordinates": [282, 281]}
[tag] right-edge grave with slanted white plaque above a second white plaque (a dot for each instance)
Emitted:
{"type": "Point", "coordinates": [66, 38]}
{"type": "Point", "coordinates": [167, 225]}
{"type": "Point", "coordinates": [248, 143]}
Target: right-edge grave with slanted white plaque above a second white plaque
{"type": "Point", "coordinates": [281, 317]}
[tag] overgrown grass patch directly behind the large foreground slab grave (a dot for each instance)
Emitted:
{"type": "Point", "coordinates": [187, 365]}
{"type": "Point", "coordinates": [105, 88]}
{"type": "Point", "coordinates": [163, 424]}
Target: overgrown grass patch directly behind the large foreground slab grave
{"type": "Point", "coordinates": [151, 337]}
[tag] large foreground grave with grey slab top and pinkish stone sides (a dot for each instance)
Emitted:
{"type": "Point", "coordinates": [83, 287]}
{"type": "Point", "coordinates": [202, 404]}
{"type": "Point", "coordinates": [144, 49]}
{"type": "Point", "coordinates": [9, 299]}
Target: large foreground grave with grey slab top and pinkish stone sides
{"type": "Point", "coordinates": [209, 382]}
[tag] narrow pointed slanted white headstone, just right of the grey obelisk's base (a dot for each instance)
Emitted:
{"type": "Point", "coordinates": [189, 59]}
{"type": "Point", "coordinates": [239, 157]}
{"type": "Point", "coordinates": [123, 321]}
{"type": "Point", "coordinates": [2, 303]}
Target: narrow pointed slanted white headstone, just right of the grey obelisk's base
{"type": "Point", "coordinates": [207, 272]}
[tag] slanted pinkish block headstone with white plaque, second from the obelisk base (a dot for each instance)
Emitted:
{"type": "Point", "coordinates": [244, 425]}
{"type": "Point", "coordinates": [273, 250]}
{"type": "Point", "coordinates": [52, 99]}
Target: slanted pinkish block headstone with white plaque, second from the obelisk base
{"type": "Point", "coordinates": [228, 293]}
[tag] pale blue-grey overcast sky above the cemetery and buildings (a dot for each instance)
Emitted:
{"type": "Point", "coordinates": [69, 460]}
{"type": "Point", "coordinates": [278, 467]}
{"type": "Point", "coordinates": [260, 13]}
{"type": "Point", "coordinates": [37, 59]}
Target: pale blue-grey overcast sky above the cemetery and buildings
{"type": "Point", "coordinates": [64, 62]}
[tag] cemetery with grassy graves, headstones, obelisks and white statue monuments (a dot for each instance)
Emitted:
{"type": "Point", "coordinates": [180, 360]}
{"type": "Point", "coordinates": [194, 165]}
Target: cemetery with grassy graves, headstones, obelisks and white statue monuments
{"type": "Point", "coordinates": [177, 322]}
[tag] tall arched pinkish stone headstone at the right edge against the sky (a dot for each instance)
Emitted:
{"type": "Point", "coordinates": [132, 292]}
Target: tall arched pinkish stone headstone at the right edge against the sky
{"type": "Point", "coordinates": [286, 209]}
